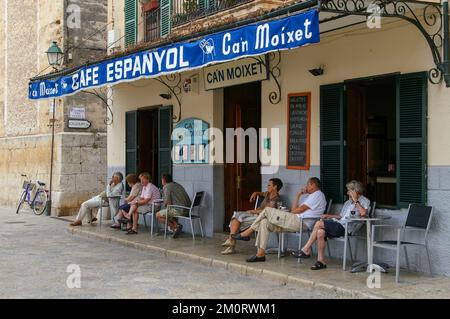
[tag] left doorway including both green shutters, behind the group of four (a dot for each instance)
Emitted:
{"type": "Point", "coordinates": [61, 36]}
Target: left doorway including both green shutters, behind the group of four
{"type": "Point", "coordinates": [148, 142]}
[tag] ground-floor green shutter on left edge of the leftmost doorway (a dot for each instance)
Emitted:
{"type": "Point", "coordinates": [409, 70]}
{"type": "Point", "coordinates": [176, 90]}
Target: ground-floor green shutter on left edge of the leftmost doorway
{"type": "Point", "coordinates": [131, 143]}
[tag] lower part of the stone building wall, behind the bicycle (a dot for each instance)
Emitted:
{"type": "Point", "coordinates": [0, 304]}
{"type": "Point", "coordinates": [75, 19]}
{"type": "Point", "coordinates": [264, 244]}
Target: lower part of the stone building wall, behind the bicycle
{"type": "Point", "coordinates": [78, 171]}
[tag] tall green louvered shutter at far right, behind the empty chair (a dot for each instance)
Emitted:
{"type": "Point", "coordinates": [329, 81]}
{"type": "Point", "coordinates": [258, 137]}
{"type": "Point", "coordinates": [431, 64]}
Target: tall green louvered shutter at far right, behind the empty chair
{"type": "Point", "coordinates": [411, 138]}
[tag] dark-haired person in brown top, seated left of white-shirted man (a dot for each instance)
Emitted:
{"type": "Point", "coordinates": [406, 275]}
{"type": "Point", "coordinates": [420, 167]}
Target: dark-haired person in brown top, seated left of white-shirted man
{"type": "Point", "coordinates": [243, 220]}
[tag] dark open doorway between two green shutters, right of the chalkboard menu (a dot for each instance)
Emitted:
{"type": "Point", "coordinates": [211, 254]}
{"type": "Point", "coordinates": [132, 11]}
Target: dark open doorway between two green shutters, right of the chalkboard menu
{"type": "Point", "coordinates": [371, 137]}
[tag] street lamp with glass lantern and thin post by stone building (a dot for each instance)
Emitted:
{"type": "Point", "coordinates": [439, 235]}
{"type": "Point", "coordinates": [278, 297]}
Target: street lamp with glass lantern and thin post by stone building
{"type": "Point", "coordinates": [55, 57]}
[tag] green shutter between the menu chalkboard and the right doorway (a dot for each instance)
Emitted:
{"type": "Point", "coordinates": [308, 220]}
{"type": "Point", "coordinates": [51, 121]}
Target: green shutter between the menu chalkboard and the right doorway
{"type": "Point", "coordinates": [332, 141]}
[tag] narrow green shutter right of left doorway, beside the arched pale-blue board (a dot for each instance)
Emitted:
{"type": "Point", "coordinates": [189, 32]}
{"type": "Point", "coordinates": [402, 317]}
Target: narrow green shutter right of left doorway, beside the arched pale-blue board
{"type": "Point", "coordinates": [165, 141]}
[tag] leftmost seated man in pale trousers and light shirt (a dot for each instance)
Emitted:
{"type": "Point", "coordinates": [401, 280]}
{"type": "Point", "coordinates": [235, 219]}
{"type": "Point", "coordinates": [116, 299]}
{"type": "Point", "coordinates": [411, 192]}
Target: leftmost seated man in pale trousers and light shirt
{"type": "Point", "coordinates": [114, 188]}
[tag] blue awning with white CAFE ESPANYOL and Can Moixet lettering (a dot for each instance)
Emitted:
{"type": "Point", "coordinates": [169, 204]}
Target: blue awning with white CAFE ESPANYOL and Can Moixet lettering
{"type": "Point", "coordinates": [251, 40]}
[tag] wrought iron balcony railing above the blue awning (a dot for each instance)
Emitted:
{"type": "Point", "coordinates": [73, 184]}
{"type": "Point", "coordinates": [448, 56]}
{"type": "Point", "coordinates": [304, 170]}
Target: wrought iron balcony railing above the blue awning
{"type": "Point", "coordinates": [188, 10]}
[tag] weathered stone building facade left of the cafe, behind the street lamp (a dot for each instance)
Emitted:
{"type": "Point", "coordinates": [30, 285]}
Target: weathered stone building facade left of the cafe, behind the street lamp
{"type": "Point", "coordinates": [27, 29]}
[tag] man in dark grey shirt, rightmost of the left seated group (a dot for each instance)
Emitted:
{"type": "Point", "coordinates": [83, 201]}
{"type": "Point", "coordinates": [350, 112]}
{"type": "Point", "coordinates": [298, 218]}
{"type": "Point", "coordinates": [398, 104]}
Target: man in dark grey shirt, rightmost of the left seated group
{"type": "Point", "coordinates": [173, 194]}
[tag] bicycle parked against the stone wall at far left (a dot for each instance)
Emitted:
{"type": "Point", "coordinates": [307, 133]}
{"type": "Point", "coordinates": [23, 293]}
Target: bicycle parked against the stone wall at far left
{"type": "Point", "coordinates": [40, 196]}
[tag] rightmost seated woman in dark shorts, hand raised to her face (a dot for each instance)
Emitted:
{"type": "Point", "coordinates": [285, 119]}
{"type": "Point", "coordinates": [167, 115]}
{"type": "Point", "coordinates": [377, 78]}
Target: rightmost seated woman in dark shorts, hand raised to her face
{"type": "Point", "coordinates": [333, 225]}
